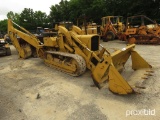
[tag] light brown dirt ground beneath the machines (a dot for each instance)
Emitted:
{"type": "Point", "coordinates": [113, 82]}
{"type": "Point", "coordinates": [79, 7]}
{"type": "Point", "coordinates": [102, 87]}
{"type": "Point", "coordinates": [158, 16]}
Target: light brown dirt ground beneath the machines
{"type": "Point", "coordinates": [29, 90]}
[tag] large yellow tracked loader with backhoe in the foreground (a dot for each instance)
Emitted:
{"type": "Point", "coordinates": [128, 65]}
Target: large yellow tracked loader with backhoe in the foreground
{"type": "Point", "coordinates": [72, 53]}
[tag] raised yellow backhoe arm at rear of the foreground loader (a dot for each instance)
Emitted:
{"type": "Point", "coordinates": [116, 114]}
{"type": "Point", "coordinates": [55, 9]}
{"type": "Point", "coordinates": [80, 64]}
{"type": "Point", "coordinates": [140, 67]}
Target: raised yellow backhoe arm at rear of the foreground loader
{"type": "Point", "coordinates": [18, 37]}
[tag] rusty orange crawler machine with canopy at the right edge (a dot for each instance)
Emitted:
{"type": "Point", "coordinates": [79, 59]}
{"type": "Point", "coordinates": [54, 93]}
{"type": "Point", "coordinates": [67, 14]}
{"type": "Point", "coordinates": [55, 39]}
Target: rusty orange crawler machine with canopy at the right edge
{"type": "Point", "coordinates": [141, 30]}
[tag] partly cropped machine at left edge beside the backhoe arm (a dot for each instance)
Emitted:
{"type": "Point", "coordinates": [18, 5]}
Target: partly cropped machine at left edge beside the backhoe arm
{"type": "Point", "coordinates": [4, 47]}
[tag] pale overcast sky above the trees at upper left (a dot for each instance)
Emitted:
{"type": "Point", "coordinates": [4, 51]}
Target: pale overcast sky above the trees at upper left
{"type": "Point", "coordinates": [18, 5]}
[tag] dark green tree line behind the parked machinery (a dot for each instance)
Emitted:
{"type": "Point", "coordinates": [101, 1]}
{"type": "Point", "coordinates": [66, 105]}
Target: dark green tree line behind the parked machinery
{"type": "Point", "coordinates": [91, 10]}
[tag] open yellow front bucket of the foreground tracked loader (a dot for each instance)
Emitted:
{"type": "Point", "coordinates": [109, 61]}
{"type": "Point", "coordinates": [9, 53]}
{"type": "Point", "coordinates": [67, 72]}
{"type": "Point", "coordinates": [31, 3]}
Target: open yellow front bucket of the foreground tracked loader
{"type": "Point", "coordinates": [113, 65]}
